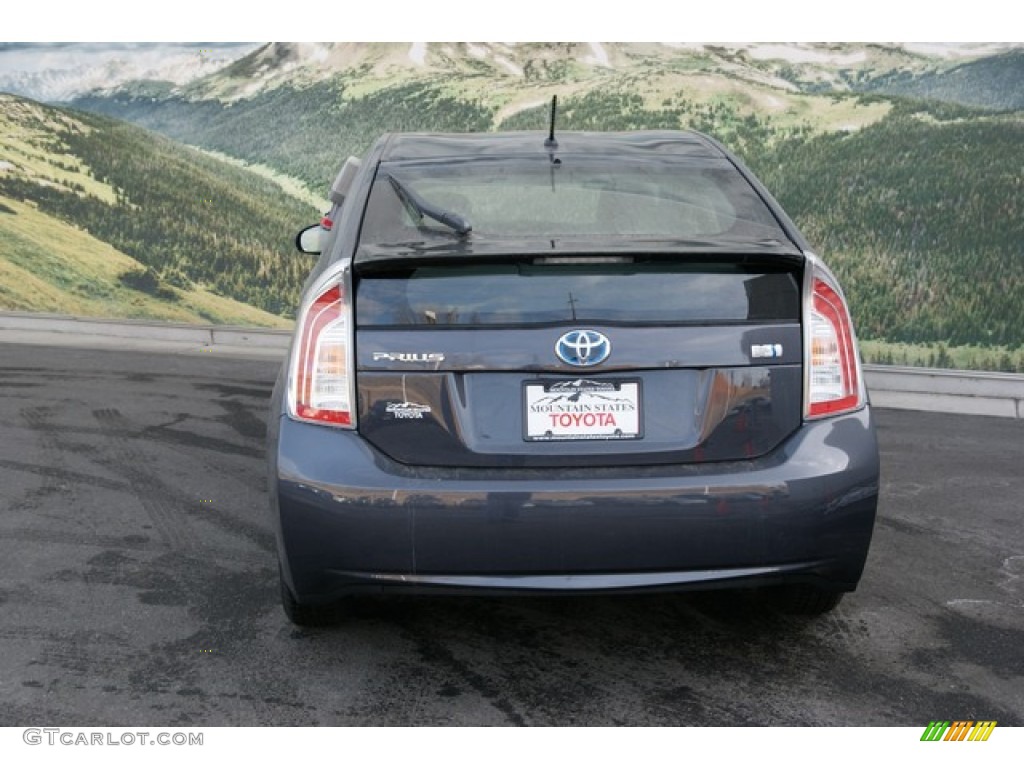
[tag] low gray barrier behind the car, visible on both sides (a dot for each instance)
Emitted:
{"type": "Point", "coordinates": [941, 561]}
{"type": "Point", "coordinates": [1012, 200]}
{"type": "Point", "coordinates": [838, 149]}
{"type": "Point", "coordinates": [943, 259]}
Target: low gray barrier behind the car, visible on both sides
{"type": "Point", "coordinates": [973, 393]}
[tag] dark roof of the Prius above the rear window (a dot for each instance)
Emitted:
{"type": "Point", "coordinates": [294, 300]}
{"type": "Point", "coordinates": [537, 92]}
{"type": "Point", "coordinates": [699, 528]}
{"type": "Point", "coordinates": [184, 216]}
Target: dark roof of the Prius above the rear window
{"type": "Point", "coordinates": [412, 147]}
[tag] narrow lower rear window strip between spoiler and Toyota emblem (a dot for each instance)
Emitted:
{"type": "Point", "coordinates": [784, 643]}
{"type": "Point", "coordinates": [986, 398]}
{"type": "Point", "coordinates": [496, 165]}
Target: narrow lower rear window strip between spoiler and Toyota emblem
{"type": "Point", "coordinates": [626, 293]}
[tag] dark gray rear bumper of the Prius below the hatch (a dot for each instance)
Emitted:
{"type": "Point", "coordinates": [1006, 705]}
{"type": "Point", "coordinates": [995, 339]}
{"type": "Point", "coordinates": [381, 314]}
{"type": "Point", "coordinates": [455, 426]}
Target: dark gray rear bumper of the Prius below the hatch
{"type": "Point", "coordinates": [350, 520]}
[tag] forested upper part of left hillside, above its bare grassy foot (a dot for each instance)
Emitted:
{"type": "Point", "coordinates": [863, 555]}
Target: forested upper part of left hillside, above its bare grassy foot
{"type": "Point", "coordinates": [189, 220]}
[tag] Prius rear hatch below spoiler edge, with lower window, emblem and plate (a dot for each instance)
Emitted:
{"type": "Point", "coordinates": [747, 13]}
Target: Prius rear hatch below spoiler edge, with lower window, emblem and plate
{"type": "Point", "coordinates": [586, 360]}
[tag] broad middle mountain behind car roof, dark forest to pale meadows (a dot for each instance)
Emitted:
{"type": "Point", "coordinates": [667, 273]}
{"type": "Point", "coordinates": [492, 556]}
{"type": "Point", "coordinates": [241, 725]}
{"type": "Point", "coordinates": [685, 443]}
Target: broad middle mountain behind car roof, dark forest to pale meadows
{"type": "Point", "coordinates": [298, 107]}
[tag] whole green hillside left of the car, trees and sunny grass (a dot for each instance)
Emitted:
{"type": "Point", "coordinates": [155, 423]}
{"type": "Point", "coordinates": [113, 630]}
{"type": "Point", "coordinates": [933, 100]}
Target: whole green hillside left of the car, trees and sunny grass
{"type": "Point", "coordinates": [203, 238]}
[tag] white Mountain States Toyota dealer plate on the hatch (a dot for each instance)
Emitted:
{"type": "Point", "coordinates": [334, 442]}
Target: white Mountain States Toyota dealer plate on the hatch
{"type": "Point", "coordinates": [582, 410]}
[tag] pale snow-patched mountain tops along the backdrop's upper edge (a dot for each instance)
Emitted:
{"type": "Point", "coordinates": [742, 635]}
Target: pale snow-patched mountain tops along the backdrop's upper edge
{"type": "Point", "coordinates": [61, 72]}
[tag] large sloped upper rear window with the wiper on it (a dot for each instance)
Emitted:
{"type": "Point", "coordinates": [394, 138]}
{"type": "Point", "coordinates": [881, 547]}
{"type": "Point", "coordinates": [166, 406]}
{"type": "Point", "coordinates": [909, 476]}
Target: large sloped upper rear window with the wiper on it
{"type": "Point", "coordinates": [672, 198]}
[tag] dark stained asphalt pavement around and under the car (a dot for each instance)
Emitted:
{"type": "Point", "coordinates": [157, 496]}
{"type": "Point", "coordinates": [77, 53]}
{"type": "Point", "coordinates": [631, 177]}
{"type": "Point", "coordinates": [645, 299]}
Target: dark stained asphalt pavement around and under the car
{"type": "Point", "coordinates": [139, 587]}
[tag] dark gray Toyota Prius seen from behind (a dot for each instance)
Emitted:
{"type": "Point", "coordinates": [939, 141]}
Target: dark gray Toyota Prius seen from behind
{"type": "Point", "coordinates": [592, 363]}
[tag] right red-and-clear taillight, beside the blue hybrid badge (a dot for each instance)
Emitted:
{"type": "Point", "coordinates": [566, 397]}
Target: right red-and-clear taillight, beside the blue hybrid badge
{"type": "Point", "coordinates": [834, 385]}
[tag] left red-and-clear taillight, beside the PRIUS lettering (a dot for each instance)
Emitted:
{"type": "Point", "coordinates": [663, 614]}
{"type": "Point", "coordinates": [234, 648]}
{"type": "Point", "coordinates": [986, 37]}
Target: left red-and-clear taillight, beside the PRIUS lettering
{"type": "Point", "coordinates": [322, 383]}
